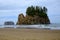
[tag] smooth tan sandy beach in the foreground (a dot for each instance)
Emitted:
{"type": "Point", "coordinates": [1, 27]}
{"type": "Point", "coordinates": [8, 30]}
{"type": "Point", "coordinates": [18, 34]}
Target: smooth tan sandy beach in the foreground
{"type": "Point", "coordinates": [28, 34]}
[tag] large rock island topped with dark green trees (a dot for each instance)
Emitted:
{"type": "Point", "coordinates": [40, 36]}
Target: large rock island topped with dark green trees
{"type": "Point", "coordinates": [34, 15]}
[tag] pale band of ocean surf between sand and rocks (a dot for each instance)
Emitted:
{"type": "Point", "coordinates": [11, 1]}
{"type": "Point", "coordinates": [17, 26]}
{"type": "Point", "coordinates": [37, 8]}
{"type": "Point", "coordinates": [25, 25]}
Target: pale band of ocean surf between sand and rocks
{"type": "Point", "coordinates": [38, 26]}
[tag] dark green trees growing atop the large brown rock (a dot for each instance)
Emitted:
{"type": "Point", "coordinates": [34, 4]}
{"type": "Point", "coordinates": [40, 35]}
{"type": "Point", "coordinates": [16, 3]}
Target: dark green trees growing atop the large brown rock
{"type": "Point", "coordinates": [37, 10]}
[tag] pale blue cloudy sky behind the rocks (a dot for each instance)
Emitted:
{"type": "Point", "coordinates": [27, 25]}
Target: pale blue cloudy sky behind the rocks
{"type": "Point", "coordinates": [10, 9]}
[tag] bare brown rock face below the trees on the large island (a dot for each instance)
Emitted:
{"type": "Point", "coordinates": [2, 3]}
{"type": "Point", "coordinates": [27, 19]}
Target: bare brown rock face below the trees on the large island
{"type": "Point", "coordinates": [32, 20]}
